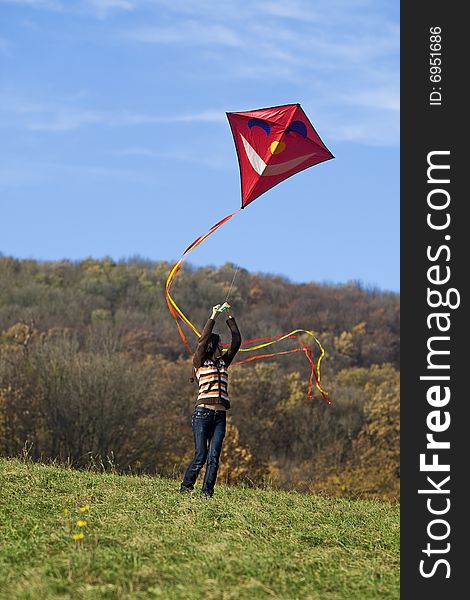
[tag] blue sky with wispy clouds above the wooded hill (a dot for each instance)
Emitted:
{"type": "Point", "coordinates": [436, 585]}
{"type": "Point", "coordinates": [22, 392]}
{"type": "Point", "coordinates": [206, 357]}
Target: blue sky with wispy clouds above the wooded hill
{"type": "Point", "coordinates": [114, 140]}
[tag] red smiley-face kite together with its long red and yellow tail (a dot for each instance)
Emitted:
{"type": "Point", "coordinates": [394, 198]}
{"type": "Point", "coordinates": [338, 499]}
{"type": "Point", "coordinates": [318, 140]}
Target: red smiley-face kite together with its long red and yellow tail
{"type": "Point", "coordinates": [272, 144]}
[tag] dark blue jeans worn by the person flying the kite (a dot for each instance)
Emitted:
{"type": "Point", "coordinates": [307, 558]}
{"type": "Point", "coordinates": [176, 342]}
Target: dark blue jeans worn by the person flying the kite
{"type": "Point", "coordinates": [209, 431]}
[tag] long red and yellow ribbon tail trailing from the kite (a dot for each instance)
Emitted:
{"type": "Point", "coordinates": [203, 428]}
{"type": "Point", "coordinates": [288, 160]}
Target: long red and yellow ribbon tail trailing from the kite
{"type": "Point", "coordinates": [178, 316]}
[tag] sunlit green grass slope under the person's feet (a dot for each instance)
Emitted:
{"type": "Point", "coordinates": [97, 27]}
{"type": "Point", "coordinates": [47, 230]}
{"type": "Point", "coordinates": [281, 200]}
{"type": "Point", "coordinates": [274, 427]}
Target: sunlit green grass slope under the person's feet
{"type": "Point", "coordinates": [144, 540]}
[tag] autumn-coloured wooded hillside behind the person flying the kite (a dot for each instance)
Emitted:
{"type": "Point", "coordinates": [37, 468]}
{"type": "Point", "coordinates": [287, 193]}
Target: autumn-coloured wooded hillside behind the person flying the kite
{"type": "Point", "coordinates": [92, 371]}
